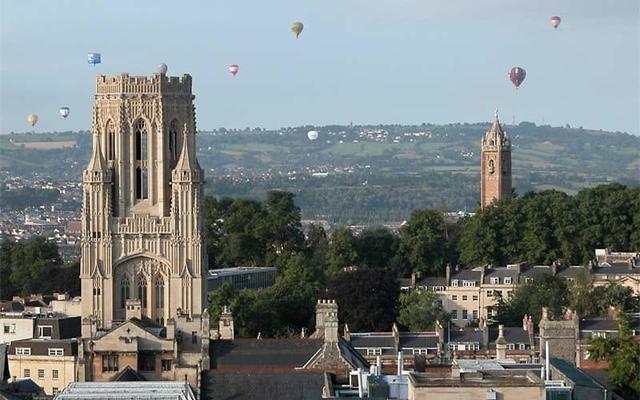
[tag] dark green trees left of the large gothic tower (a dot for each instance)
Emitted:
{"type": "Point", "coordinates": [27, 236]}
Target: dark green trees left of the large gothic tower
{"type": "Point", "coordinates": [35, 266]}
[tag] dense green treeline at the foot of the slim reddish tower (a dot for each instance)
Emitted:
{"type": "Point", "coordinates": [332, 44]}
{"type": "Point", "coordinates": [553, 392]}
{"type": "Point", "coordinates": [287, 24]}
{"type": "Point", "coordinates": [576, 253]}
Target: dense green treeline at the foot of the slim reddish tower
{"type": "Point", "coordinates": [547, 226]}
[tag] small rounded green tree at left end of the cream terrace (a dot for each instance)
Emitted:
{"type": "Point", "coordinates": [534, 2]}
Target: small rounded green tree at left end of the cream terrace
{"type": "Point", "coordinates": [420, 309]}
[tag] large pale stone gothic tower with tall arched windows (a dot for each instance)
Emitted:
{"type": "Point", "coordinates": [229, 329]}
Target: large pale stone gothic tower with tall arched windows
{"type": "Point", "coordinates": [141, 213]}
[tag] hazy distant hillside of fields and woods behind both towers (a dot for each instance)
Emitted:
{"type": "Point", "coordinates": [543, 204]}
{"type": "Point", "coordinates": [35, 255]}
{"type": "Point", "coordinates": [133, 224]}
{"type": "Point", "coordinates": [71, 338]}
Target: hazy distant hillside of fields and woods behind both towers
{"type": "Point", "coordinates": [366, 174]}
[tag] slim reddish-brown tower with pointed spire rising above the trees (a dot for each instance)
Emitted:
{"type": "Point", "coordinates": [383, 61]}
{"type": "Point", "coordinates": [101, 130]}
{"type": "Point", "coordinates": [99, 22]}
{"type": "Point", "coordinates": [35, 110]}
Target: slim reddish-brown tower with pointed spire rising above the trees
{"type": "Point", "coordinates": [495, 165]}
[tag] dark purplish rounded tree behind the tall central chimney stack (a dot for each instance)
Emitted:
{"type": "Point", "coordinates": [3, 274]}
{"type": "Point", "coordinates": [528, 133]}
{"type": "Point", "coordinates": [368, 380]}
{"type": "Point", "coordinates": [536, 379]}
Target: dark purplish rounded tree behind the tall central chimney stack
{"type": "Point", "coordinates": [367, 298]}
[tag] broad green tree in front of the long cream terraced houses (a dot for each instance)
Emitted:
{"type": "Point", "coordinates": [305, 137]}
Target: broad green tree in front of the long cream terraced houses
{"type": "Point", "coordinates": [544, 290]}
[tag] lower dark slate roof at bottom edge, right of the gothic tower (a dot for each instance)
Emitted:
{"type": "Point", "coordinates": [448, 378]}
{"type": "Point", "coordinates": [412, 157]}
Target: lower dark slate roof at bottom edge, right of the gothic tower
{"type": "Point", "coordinates": [293, 385]}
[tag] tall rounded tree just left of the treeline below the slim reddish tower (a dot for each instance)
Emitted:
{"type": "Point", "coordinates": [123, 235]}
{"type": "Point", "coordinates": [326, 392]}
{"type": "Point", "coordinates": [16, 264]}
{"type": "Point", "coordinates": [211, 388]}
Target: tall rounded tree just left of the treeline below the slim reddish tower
{"type": "Point", "coordinates": [424, 241]}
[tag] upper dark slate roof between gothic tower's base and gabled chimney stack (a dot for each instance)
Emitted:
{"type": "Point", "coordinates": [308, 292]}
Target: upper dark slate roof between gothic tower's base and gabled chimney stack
{"type": "Point", "coordinates": [256, 354]}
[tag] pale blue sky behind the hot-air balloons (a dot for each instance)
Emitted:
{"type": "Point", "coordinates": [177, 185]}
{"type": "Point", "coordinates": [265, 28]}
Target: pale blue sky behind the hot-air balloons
{"type": "Point", "coordinates": [360, 61]}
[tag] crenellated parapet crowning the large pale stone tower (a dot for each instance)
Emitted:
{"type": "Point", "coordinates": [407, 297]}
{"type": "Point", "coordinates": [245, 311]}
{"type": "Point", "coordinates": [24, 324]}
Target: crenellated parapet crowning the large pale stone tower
{"type": "Point", "coordinates": [155, 84]}
